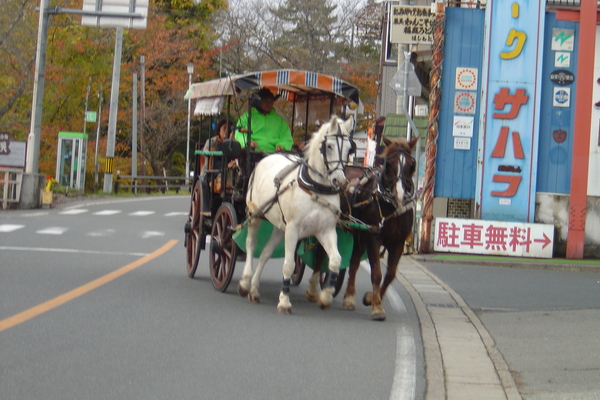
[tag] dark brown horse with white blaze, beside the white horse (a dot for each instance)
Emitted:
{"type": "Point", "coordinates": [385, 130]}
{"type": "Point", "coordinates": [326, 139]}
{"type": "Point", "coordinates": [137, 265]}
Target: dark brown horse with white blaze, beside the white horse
{"type": "Point", "coordinates": [382, 198]}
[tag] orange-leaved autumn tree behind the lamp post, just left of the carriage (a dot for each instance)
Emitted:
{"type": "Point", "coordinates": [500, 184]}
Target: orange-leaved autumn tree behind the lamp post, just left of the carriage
{"type": "Point", "coordinates": [179, 33]}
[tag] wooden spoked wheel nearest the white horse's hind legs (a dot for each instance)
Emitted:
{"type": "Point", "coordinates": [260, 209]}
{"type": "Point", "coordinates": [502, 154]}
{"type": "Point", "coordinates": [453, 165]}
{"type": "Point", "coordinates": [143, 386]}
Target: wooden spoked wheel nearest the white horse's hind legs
{"type": "Point", "coordinates": [223, 249]}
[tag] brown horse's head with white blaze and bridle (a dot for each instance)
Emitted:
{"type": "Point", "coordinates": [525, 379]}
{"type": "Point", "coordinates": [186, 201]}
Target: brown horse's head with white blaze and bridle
{"type": "Point", "coordinates": [398, 168]}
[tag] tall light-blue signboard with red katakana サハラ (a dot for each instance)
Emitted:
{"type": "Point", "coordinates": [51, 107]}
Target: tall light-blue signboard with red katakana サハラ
{"type": "Point", "coordinates": [507, 177]}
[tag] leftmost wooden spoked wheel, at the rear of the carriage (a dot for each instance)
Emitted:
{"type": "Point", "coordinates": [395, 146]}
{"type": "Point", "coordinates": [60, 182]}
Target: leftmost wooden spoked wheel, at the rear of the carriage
{"type": "Point", "coordinates": [193, 231]}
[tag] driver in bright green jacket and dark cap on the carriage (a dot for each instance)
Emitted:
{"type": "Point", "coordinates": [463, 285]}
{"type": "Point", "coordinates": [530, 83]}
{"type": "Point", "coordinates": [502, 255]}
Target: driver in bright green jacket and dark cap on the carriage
{"type": "Point", "coordinates": [270, 131]}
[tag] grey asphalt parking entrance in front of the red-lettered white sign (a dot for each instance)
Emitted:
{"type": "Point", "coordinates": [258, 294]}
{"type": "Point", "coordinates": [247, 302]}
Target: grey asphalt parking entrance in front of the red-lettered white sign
{"type": "Point", "coordinates": [545, 323]}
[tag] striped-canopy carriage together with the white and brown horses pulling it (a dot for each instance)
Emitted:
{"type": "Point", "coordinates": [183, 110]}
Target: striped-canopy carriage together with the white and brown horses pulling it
{"type": "Point", "coordinates": [299, 194]}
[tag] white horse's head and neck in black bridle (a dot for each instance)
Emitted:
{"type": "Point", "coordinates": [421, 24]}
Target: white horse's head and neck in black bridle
{"type": "Point", "coordinates": [328, 150]}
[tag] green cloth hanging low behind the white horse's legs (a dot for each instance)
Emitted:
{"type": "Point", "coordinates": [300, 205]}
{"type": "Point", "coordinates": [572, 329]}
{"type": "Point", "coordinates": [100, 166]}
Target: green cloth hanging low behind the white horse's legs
{"type": "Point", "coordinates": [307, 247]}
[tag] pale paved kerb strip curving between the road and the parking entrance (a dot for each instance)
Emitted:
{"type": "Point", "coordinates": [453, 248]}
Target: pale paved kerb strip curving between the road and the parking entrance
{"type": "Point", "coordinates": [461, 358]}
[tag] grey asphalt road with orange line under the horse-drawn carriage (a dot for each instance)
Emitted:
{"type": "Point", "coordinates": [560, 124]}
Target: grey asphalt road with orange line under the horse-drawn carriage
{"type": "Point", "coordinates": [95, 303]}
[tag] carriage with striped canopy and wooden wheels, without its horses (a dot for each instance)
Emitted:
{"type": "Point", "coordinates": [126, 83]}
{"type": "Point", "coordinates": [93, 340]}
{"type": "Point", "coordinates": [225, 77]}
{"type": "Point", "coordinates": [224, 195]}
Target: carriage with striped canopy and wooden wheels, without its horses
{"type": "Point", "coordinates": [218, 208]}
